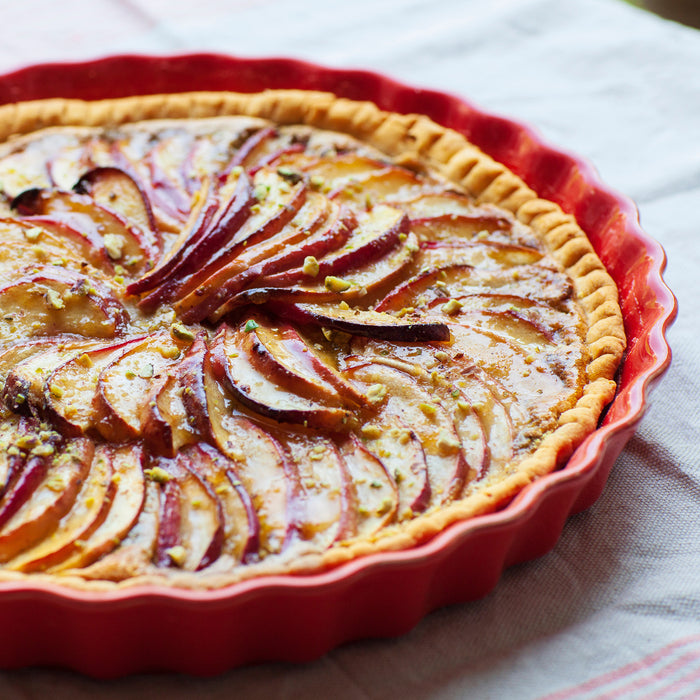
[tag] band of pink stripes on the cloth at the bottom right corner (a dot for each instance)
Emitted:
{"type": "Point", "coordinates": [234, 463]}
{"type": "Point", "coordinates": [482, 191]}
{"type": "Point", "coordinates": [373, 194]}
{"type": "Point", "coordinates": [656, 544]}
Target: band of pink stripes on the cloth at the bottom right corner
{"type": "Point", "coordinates": [640, 675]}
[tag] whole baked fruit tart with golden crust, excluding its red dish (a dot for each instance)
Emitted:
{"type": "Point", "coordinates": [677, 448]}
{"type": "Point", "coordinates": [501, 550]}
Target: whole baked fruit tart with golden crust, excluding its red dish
{"type": "Point", "coordinates": [262, 334]}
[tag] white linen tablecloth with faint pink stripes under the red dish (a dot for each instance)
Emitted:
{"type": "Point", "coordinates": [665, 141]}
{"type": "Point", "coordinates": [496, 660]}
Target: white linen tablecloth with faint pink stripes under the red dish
{"type": "Point", "coordinates": [614, 609]}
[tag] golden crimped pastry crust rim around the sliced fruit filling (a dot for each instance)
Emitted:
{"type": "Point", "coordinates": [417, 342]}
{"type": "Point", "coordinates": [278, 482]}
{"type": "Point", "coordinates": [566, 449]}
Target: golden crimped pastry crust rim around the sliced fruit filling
{"type": "Point", "coordinates": [418, 143]}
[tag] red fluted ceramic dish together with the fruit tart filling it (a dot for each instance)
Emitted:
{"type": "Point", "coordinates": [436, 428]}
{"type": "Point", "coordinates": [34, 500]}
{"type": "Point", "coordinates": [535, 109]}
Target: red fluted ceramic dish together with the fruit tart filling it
{"type": "Point", "coordinates": [267, 346]}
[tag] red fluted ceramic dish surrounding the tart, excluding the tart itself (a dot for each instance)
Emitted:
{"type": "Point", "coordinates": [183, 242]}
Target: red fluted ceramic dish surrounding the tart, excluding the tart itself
{"type": "Point", "coordinates": [368, 597]}
